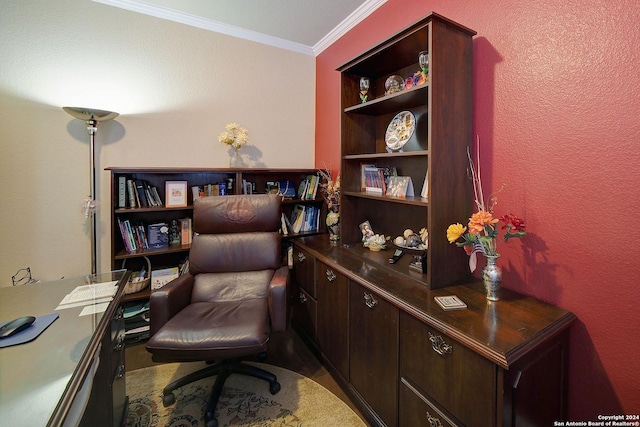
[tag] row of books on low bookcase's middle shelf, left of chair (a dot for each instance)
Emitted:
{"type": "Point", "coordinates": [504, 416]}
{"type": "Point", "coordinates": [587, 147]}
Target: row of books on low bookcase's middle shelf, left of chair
{"type": "Point", "coordinates": [155, 236]}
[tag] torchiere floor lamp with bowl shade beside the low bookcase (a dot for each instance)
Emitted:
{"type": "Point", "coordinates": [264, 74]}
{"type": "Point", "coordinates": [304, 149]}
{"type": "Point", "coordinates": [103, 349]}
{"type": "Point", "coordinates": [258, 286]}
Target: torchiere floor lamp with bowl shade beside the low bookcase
{"type": "Point", "coordinates": [92, 118]}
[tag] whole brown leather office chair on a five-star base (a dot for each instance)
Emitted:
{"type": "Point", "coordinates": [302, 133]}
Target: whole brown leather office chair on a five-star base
{"type": "Point", "coordinates": [235, 293]}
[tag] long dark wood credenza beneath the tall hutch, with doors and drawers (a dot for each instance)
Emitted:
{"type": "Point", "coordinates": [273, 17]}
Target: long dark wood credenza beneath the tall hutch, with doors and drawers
{"type": "Point", "coordinates": [411, 363]}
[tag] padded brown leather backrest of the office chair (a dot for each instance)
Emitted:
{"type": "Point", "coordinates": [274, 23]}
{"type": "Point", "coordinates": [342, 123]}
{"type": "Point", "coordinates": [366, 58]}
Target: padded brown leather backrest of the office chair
{"type": "Point", "coordinates": [235, 234]}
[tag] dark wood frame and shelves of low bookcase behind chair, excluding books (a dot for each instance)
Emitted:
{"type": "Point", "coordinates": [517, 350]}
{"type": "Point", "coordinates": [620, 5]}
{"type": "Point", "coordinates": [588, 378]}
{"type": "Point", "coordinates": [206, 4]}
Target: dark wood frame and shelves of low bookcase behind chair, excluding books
{"type": "Point", "coordinates": [174, 255]}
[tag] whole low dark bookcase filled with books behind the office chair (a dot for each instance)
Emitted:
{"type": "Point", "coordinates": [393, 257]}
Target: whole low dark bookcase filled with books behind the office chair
{"type": "Point", "coordinates": [139, 207]}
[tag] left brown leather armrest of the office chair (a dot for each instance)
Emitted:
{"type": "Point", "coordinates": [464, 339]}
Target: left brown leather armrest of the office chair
{"type": "Point", "coordinates": [167, 301]}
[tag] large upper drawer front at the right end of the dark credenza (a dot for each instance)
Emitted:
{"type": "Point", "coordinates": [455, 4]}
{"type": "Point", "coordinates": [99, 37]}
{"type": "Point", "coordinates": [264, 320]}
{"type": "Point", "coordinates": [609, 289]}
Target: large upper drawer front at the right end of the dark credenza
{"type": "Point", "coordinates": [454, 377]}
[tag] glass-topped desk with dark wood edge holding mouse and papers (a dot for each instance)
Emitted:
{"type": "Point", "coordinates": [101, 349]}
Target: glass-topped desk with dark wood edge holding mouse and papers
{"type": "Point", "coordinates": [40, 380]}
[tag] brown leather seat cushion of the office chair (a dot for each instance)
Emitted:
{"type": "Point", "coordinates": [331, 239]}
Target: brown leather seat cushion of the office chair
{"type": "Point", "coordinates": [213, 331]}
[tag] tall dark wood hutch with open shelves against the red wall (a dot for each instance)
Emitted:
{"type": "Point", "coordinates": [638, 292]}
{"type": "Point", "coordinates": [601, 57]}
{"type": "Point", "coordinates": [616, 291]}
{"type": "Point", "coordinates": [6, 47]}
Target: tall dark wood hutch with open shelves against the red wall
{"type": "Point", "coordinates": [437, 151]}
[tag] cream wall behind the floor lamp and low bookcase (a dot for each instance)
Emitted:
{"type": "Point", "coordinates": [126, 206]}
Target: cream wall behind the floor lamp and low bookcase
{"type": "Point", "coordinates": [175, 87]}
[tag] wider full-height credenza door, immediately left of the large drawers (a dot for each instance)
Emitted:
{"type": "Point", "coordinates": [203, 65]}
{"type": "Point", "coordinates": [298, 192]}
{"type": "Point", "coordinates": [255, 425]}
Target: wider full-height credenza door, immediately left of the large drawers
{"type": "Point", "coordinates": [373, 338]}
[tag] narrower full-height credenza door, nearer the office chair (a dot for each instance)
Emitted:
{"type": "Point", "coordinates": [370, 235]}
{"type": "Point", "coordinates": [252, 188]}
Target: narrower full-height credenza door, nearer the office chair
{"type": "Point", "coordinates": [333, 317]}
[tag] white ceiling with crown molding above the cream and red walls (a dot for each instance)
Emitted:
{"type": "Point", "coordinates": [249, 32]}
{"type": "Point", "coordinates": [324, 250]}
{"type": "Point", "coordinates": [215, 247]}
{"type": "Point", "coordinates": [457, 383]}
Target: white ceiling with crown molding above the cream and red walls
{"type": "Point", "coordinates": [306, 26]}
